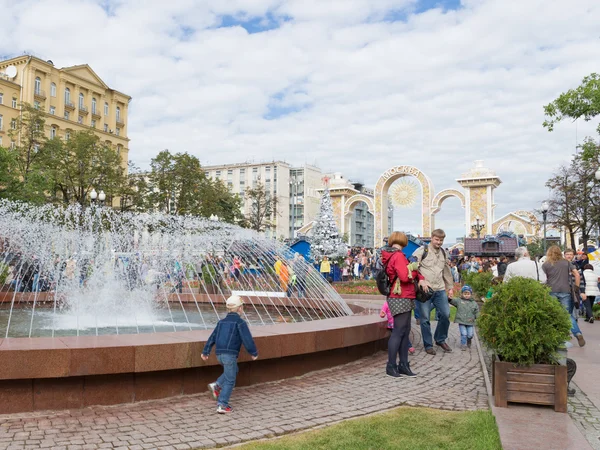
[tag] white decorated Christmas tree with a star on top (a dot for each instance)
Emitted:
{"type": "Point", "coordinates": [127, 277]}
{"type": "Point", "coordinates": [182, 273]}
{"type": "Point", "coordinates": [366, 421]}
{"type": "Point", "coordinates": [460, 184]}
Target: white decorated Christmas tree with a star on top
{"type": "Point", "coordinates": [325, 239]}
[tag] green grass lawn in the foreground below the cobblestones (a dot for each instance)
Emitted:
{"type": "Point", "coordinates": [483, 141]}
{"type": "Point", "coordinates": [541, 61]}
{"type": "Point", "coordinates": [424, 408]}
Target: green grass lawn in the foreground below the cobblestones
{"type": "Point", "coordinates": [402, 428]}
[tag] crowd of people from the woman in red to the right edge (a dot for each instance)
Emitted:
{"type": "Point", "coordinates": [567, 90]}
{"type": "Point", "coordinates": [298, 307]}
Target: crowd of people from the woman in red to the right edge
{"type": "Point", "coordinates": [569, 275]}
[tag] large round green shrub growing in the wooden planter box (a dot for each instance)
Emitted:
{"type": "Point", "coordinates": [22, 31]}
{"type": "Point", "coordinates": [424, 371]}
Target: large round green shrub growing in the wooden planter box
{"type": "Point", "coordinates": [523, 323]}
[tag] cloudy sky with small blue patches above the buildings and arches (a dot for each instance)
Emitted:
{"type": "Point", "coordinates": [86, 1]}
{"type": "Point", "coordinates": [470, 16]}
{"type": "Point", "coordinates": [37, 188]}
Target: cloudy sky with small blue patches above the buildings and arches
{"type": "Point", "coordinates": [355, 86]}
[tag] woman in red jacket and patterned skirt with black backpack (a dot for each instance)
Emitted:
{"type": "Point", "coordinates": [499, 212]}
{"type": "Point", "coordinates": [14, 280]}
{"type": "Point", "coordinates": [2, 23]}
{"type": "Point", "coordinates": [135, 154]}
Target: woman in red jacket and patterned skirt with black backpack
{"type": "Point", "coordinates": [401, 302]}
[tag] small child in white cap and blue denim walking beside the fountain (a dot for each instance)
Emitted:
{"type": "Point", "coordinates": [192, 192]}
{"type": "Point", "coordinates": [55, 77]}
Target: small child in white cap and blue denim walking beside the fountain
{"type": "Point", "coordinates": [229, 335]}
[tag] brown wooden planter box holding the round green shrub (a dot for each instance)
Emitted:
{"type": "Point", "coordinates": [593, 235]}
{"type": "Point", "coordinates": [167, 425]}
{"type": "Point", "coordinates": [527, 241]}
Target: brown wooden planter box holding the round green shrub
{"type": "Point", "coordinates": [540, 384]}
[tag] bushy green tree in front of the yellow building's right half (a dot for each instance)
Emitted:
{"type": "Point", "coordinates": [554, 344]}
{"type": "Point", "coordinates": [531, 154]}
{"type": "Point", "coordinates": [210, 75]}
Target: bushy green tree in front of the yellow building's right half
{"type": "Point", "coordinates": [81, 164]}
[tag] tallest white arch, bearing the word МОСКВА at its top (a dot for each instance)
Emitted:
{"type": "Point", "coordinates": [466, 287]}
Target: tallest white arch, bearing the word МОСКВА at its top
{"type": "Point", "coordinates": [381, 198]}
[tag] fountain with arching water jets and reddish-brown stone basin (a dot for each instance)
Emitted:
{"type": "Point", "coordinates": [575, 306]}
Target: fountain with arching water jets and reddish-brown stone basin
{"type": "Point", "coordinates": [117, 306]}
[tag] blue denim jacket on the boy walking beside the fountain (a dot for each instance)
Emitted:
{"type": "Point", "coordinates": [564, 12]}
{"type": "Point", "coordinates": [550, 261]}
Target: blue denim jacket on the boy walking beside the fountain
{"type": "Point", "coordinates": [229, 335]}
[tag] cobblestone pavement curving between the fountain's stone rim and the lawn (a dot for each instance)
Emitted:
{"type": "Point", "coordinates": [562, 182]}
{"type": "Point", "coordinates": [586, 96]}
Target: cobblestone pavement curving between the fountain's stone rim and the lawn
{"type": "Point", "coordinates": [451, 381]}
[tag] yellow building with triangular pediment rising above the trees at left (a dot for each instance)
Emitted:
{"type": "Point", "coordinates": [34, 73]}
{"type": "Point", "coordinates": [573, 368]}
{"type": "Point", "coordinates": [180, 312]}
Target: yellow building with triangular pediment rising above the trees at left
{"type": "Point", "coordinates": [73, 98]}
